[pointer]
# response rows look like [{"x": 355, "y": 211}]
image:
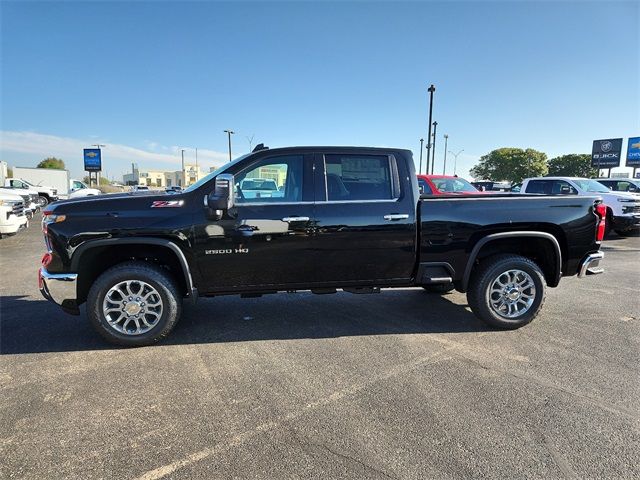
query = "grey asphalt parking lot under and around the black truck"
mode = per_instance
[{"x": 403, "y": 384}]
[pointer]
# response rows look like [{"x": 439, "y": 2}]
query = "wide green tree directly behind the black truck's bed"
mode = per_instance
[{"x": 510, "y": 164}]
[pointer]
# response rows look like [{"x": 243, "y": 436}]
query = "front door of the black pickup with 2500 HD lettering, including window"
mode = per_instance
[{"x": 264, "y": 241}]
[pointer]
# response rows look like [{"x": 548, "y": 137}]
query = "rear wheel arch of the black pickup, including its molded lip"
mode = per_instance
[{"x": 508, "y": 242}]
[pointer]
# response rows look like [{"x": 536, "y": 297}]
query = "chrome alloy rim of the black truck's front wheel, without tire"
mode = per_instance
[{"x": 132, "y": 307}]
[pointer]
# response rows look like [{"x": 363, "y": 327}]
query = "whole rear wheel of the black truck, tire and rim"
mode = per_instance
[{"x": 507, "y": 291}]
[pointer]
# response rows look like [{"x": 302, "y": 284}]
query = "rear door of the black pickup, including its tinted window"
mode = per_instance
[{"x": 365, "y": 221}]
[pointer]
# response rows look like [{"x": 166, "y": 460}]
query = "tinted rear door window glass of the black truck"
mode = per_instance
[{"x": 358, "y": 177}]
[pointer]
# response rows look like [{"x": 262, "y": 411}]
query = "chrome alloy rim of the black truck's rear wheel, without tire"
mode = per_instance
[{"x": 512, "y": 293}]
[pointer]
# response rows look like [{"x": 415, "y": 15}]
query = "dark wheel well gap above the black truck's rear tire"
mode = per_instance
[{"x": 540, "y": 250}]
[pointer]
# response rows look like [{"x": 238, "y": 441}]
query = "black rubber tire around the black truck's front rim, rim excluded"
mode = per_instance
[{"x": 153, "y": 275}]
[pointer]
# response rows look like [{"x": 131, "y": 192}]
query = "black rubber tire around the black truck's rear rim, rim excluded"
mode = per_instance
[{"x": 488, "y": 272}]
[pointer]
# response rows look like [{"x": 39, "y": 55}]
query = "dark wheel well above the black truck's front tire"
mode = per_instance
[{"x": 97, "y": 260}]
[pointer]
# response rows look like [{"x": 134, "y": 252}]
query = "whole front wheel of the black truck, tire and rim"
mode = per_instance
[{"x": 134, "y": 304}]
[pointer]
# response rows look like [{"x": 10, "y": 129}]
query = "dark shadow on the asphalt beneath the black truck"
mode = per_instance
[{"x": 37, "y": 326}]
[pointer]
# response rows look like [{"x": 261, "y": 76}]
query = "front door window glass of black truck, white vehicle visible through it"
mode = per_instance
[{"x": 272, "y": 180}]
